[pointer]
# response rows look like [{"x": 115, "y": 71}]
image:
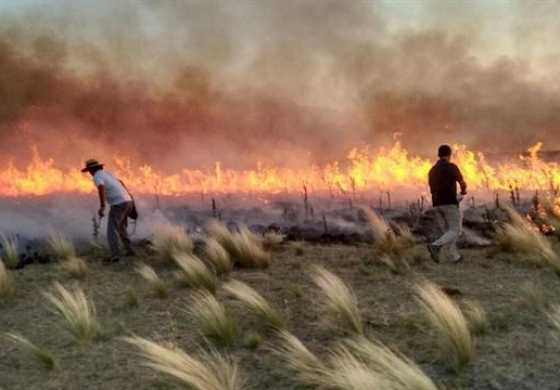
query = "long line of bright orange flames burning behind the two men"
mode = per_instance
[{"x": 364, "y": 170}]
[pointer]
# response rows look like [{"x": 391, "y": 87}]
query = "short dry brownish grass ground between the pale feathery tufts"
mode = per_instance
[{"x": 516, "y": 349}]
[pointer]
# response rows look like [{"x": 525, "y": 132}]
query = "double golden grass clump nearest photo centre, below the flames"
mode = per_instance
[{"x": 244, "y": 247}]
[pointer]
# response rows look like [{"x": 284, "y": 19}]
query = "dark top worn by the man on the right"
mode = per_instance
[{"x": 444, "y": 177}]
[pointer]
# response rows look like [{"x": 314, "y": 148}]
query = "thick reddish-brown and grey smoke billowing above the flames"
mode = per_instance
[{"x": 179, "y": 84}]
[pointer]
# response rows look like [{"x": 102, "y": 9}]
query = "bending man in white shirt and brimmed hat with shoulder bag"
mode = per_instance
[{"x": 112, "y": 191}]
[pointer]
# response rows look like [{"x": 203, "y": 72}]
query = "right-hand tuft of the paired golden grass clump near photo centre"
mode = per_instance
[{"x": 249, "y": 251}]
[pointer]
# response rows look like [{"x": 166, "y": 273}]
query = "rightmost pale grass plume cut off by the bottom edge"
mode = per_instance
[{"x": 394, "y": 369}]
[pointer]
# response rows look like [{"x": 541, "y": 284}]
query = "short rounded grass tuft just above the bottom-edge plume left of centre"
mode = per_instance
[{"x": 213, "y": 319}]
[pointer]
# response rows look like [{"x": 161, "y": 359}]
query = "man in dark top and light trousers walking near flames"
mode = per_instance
[{"x": 443, "y": 178}]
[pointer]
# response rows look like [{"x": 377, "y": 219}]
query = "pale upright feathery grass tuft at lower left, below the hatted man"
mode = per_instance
[{"x": 77, "y": 311}]
